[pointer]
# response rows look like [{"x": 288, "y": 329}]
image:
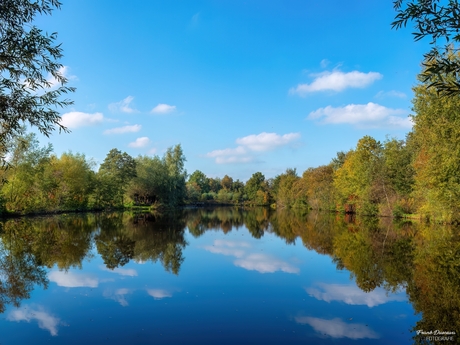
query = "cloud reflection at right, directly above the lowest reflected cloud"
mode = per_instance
[{"x": 352, "y": 295}]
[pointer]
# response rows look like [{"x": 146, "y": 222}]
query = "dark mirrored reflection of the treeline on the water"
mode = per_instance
[{"x": 422, "y": 259}]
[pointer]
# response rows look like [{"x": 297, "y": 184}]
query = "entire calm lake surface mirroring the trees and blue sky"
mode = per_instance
[{"x": 226, "y": 276}]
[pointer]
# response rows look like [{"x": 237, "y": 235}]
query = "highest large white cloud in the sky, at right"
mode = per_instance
[{"x": 336, "y": 81}]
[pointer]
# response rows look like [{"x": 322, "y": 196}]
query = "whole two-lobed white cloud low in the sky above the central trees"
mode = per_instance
[{"x": 252, "y": 143}]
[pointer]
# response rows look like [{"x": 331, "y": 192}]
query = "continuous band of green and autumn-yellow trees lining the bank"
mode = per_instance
[{"x": 416, "y": 177}]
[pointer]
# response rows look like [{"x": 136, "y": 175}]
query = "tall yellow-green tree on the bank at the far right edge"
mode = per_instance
[{"x": 436, "y": 136}]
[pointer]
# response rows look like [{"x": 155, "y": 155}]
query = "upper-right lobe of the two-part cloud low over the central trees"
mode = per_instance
[{"x": 266, "y": 141}]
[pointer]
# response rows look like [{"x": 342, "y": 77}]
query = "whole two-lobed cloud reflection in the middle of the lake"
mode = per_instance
[{"x": 261, "y": 263}]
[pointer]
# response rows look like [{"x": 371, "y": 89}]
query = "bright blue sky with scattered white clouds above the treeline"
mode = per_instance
[{"x": 243, "y": 86}]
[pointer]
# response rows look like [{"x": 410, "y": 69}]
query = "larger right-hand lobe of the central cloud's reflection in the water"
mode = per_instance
[{"x": 263, "y": 263}]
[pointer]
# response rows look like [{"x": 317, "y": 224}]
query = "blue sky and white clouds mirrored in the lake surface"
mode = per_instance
[{"x": 231, "y": 288}]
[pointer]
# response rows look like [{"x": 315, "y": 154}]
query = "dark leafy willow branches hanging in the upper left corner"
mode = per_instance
[{"x": 31, "y": 77}]
